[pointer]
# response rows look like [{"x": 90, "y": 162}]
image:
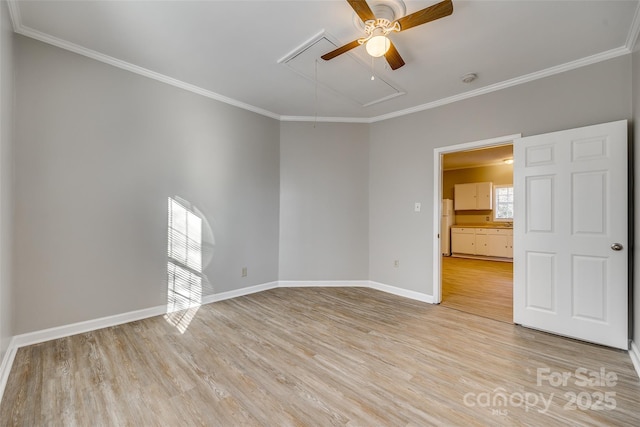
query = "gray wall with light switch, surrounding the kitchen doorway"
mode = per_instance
[{"x": 401, "y": 152}]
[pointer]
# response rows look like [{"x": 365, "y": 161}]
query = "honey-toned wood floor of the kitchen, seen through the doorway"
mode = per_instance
[{"x": 480, "y": 287}]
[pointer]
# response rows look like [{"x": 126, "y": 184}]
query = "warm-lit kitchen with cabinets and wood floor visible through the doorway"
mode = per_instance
[{"x": 477, "y": 232}]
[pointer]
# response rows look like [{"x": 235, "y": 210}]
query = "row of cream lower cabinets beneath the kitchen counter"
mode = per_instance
[{"x": 495, "y": 242}]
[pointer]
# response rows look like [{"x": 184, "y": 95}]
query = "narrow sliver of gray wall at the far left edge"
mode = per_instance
[{"x": 6, "y": 192}]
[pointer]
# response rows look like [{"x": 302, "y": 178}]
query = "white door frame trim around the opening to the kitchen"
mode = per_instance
[{"x": 437, "y": 197}]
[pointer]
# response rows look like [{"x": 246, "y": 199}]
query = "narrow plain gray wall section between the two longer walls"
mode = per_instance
[{"x": 324, "y": 203}]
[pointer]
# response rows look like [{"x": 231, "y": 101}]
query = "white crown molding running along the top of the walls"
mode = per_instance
[{"x": 627, "y": 48}]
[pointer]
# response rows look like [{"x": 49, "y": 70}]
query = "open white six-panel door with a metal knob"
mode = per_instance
[{"x": 571, "y": 233}]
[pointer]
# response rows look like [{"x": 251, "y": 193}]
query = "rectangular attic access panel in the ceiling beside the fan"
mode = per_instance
[{"x": 346, "y": 76}]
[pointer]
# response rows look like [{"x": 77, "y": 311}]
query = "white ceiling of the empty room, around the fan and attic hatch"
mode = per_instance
[{"x": 229, "y": 50}]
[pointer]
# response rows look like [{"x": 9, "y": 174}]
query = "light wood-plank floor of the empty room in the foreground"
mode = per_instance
[{"x": 317, "y": 357}]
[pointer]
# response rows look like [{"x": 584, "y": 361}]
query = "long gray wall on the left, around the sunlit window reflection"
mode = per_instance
[{"x": 98, "y": 152}]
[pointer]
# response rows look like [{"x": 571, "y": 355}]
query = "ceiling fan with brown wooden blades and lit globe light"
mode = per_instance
[{"x": 376, "y": 29}]
